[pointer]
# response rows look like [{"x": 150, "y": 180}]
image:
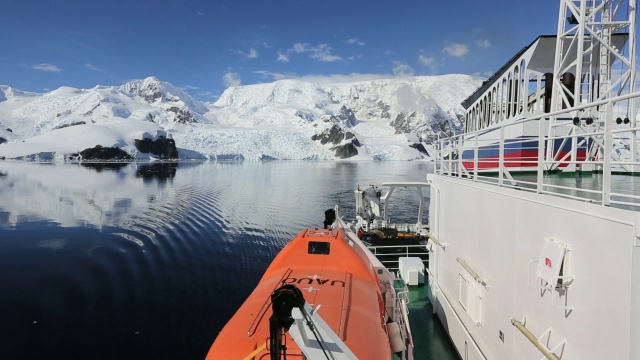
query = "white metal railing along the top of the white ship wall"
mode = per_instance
[{"x": 611, "y": 162}]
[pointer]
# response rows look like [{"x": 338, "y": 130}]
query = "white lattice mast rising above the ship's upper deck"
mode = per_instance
[{"x": 589, "y": 67}]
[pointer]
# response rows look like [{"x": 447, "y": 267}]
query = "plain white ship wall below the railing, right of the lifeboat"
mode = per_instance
[{"x": 498, "y": 231}]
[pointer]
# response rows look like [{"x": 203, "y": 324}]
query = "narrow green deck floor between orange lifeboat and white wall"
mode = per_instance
[{"x": 429, "y": 336}]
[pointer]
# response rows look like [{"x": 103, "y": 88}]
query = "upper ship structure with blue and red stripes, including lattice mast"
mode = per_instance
[{"x": 557, "y": 86}]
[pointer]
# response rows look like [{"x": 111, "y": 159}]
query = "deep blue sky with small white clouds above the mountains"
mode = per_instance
[{"x": 206, "y": 46}]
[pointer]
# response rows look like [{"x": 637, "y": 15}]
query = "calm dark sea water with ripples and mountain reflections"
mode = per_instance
[{"x": 150, "y": 261}]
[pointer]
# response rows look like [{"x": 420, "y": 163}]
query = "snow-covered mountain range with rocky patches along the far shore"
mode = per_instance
[{"x": 287, "y": 119}]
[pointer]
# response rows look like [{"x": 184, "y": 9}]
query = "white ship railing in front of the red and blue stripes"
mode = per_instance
[{"x": 506, "y": 172}]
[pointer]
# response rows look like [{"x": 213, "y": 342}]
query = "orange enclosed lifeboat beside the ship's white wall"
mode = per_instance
[{"x": 335, "y": 278}]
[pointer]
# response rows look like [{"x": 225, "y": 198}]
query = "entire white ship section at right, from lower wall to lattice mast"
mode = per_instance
[{"x": 545, "y": 264}]
